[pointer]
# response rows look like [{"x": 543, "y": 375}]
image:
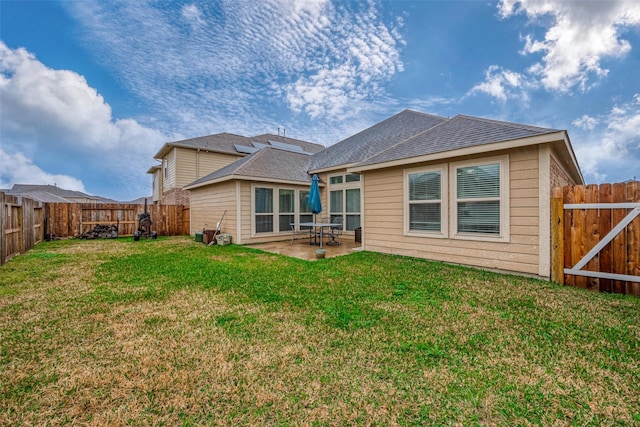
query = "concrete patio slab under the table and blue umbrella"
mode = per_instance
[{"x": 301, "y": 248}]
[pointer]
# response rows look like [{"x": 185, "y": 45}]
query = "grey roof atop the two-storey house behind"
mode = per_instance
[{"x": 227, "y": 143}]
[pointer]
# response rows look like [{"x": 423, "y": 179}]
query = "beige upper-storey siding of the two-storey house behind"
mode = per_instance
[{"x": 193, "y": 164}]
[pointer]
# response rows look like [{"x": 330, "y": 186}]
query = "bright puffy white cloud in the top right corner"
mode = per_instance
[{"x": 580, "y": 35}]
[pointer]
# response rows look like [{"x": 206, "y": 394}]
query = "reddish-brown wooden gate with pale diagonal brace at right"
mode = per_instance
[{"x": 595, "y": 237}]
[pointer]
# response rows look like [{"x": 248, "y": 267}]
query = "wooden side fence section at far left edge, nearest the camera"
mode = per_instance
[{"x": 21, "y": 228}]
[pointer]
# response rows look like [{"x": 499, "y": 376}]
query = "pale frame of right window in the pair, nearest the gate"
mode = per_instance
[{"x": 504, "y": 235}]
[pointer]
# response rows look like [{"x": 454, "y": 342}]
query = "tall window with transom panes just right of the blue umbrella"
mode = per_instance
[{"x": 344, "y": 199}]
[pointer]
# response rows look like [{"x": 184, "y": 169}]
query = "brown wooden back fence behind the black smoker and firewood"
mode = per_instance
[{"x": 74, "y": 219}]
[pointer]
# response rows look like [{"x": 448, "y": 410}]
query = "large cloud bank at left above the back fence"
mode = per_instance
[{"x": 55, "y": 126}]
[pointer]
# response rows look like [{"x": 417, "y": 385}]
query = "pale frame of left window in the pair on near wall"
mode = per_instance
[{"x": 444, "y": 202}]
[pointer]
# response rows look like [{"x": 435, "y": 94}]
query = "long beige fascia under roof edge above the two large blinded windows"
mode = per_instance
[{"x": 466, "y": 151}]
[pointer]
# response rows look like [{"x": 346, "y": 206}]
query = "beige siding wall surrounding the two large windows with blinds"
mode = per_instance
[{"x": 383, "y": 223}]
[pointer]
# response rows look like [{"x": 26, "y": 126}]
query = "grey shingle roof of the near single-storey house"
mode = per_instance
[{"x": 405, "y": 135}]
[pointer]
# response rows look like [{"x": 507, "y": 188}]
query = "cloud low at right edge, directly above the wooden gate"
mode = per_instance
[{"x": 615, "y": 147}]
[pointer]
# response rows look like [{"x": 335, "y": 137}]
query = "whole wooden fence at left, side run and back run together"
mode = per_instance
[{"x": 25, "y": 222}]
